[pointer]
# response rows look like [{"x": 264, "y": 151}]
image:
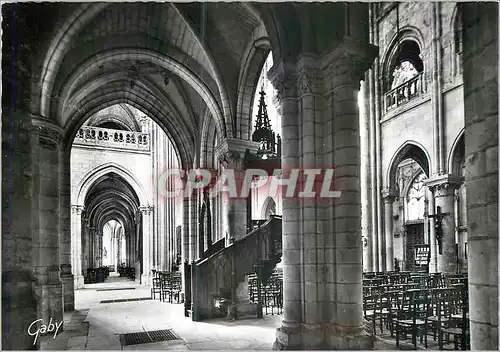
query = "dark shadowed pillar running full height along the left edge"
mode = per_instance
[{"x": 19, "y": 307}]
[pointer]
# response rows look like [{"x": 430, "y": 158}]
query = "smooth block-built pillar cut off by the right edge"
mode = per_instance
[{"x": 480, "y": 76}]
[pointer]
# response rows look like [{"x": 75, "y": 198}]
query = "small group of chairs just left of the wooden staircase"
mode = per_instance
[{"x": 167, "y": 285}]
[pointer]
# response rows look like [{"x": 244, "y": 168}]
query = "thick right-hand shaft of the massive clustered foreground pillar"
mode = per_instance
[{"x": 345, "y": 70}]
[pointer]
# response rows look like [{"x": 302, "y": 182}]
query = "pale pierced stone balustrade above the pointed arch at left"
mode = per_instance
[{"x": 105, "y": 137}]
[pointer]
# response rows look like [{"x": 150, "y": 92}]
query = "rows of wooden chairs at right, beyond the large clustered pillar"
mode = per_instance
[{"x": 418, "y": 305}]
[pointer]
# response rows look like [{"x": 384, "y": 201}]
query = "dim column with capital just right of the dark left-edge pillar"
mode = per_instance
[{"x": 48, "y": 286}]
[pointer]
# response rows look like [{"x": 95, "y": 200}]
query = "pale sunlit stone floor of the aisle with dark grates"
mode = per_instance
[{"x": 97, "y": 326}]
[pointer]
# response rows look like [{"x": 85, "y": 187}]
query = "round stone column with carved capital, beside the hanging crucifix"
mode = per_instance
[{"x": 443, "y": 188}]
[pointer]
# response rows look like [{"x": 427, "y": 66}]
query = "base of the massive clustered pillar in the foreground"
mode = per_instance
[{"x": 321, "y": 337}]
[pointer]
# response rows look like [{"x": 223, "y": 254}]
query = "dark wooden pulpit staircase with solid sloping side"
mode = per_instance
[{"x": 217, "y": 285}]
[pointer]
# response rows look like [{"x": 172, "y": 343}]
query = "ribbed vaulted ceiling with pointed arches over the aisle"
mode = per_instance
[{"x": 185, "y": 65}]
